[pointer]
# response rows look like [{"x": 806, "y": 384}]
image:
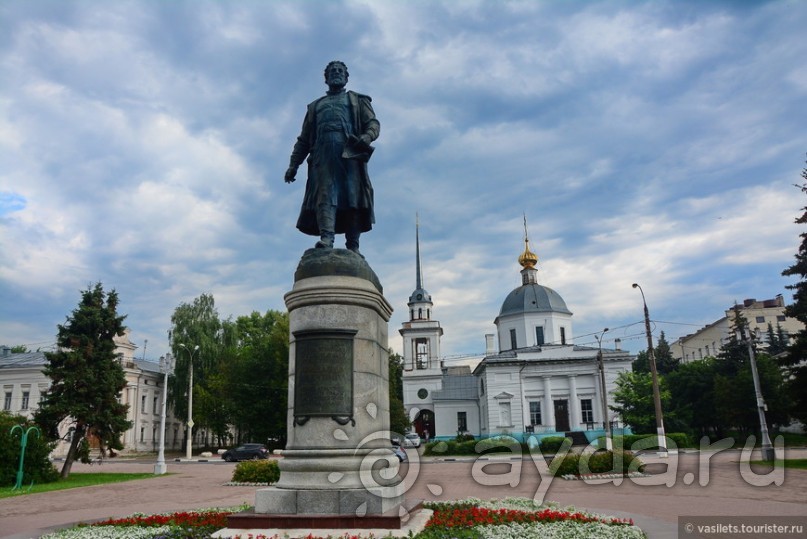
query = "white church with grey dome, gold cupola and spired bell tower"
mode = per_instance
[{"x": 538, "y": 382}]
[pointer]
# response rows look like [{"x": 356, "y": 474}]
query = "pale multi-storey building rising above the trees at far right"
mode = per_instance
[{"x": 707, "y": 341}]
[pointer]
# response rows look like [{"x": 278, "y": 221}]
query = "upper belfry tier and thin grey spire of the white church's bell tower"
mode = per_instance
[{"x": 421, "y": 334}]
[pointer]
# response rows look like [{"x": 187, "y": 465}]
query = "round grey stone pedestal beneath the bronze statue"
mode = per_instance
[{"x": 338, "y": 460}]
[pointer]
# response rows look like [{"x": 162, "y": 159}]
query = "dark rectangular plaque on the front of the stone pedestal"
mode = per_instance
[{"x": 323, "y": 375}]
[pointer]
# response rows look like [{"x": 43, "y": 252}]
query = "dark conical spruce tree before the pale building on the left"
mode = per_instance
[{"x": 87, "y": 377}]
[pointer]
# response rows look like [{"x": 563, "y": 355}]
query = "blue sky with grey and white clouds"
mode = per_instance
[{"x": 143, "y": 145}]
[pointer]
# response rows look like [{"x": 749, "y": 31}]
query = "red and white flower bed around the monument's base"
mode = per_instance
[{"x": 510, "y": 518}]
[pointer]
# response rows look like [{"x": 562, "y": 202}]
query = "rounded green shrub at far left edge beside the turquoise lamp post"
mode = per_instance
[{"x": 37, "y": 467}]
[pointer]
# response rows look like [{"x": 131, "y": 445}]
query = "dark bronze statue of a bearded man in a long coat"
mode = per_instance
[{"x": 336, "y": 135}]
